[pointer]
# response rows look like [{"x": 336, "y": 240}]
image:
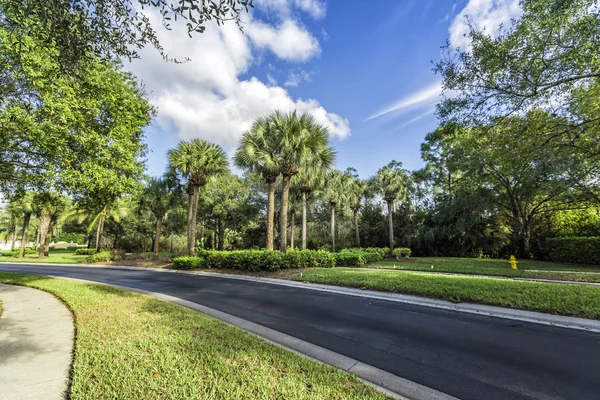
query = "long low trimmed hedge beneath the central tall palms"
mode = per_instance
[{"x": 256, "y": 260}]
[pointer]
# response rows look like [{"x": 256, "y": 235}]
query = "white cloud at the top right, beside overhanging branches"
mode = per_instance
[{"x": 483, "y": 14}]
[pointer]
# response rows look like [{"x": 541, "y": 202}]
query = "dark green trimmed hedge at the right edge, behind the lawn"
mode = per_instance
[{"x": 580, "y": 250}]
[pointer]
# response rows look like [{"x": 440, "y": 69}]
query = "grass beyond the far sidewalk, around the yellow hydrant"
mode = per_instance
[{"x": 479, "y": 266}]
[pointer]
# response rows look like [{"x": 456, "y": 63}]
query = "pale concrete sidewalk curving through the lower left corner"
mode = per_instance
[{"x": 36, "y": 342}]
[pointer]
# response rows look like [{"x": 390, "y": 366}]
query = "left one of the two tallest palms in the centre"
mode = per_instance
[{"x": 257, "y": 152}]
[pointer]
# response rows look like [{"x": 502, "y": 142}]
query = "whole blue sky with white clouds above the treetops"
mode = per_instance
[{"x": 364, "y": 69}]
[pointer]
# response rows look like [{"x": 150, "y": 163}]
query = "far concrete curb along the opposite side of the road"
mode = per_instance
[{"x": 490, "y": 311}]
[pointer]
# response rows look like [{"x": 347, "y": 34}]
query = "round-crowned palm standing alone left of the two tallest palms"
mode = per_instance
[{"x": 197, "y": 160}]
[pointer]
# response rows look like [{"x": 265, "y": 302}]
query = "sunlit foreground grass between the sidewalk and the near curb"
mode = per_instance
[{"x": 132, "y": 346}]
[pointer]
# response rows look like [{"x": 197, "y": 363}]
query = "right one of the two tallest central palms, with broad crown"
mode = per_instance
[{"x": 299, "y": 138}]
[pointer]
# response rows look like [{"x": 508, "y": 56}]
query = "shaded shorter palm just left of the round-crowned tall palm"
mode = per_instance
[{"x": 158, "y": 198}]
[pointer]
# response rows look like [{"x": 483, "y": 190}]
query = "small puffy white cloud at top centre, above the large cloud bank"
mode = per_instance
[{"x": 288, "y": 41}]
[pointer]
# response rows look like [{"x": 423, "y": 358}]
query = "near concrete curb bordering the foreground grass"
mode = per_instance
[{"x": 381, "y": 380}]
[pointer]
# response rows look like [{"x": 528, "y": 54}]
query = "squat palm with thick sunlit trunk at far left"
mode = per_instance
[{"x": 49, "y": 206}]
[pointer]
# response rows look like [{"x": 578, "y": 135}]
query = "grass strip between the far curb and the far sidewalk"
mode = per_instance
[{"x": 571, "y": 300}]
